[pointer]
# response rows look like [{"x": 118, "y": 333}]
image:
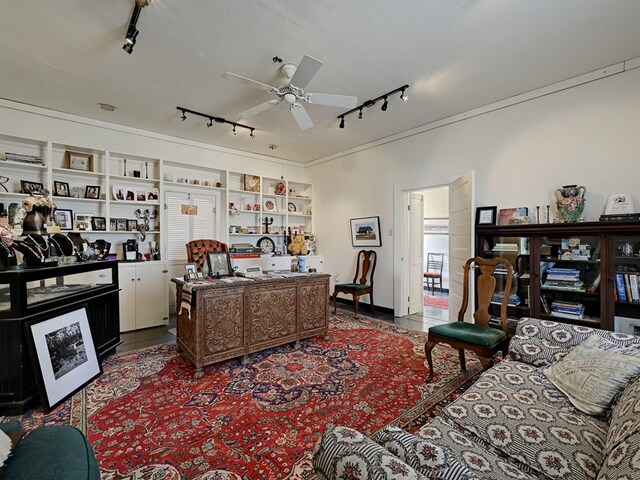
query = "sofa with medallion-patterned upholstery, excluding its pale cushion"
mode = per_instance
[{"x": 512, "y": 423}]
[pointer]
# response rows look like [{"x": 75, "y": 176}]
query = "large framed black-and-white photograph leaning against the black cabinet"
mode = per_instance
[{"x": 63, "y": 354}]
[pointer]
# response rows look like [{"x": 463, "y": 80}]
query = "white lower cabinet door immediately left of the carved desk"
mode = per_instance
[{"x": 151, "y": 288}]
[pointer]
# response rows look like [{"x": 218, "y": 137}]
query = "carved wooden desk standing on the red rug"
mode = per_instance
[{"x": 232, "y": 317}]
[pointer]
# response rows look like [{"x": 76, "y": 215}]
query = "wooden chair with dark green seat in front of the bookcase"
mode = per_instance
[{"x": 477, "y": 337}]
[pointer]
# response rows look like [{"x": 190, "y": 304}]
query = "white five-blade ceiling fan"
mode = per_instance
[{"x": 292, "y": 92}]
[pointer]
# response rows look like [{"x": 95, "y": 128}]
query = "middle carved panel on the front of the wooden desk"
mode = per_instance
[{"x": 271, "y": 313}]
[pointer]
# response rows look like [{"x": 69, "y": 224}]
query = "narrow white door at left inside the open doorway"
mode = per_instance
[{"x": 416, "y": 252}]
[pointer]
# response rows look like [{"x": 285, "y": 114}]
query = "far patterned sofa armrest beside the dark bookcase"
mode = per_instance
[{"x": 543, "y": 342}]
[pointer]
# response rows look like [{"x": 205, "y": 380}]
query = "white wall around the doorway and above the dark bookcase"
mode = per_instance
[{"x": 586, "y": 134}]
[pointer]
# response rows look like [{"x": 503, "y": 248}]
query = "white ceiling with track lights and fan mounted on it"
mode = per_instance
[{"x": 456, "y": 55}]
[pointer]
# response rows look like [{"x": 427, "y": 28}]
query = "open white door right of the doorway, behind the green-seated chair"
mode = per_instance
[{"x": 461, "y": 229}]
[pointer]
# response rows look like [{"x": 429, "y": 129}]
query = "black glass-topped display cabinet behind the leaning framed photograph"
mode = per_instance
[{"x": 42, "y": 293}]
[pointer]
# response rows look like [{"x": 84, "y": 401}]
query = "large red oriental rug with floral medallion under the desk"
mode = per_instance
[{"x": 148, "y": 418}]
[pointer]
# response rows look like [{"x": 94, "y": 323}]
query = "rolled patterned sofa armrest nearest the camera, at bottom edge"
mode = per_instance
[{"x": 342, "y": 452}]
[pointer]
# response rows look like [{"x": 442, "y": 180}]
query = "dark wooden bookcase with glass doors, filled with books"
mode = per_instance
[{"x": 567, "y": 271}]
